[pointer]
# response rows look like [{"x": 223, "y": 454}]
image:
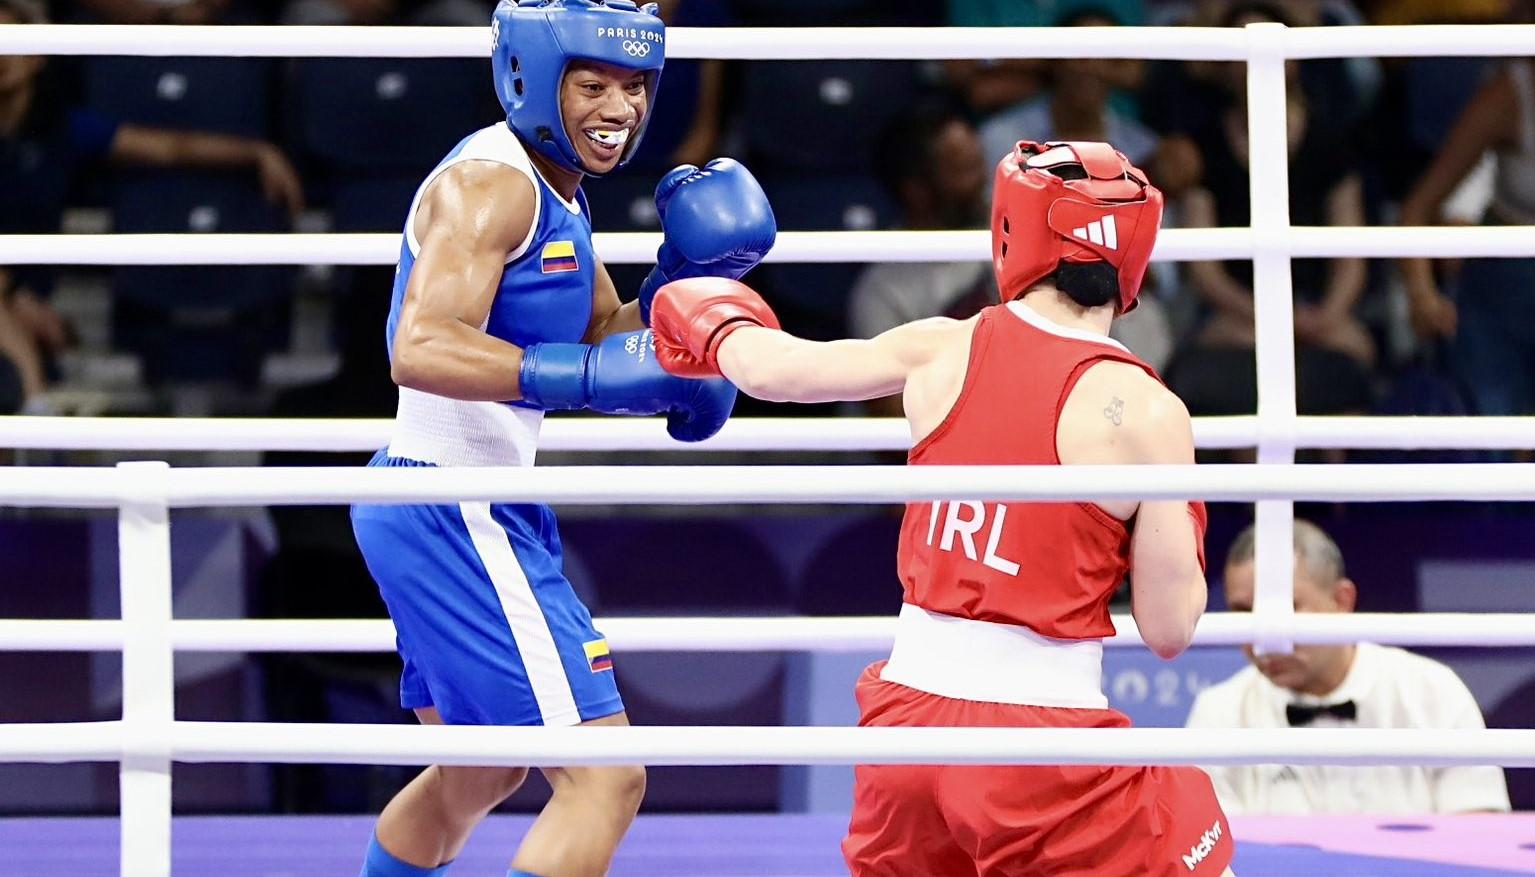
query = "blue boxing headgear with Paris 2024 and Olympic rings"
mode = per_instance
[{"x": 533, "y": 42}]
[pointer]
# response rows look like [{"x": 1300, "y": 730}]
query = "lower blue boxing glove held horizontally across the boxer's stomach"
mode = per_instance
[{"x": 622, "y": 377}]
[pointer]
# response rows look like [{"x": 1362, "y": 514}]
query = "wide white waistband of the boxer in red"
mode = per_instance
[{"x": 994, "y": 663}]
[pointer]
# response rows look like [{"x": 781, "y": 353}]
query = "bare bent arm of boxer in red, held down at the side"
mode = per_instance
[{"x": 1167, "y": 587}]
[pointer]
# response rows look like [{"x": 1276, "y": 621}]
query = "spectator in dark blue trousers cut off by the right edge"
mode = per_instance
[{"x": 1493, "y": 320}]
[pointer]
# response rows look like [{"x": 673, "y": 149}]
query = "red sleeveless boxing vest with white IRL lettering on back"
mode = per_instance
[{"x": 1048, "y": 566}]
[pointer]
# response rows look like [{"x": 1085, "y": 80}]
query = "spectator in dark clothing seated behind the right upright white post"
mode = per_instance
[{"x": 1335, "y": 351}]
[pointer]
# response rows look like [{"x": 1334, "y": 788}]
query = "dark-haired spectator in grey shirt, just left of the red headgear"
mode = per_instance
[{"x": 933, "y": 164}]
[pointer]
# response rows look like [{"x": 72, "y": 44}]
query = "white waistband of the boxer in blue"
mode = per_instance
[{"x": 452, "y": 432}]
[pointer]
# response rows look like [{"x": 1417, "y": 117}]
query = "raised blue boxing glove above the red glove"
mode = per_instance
[{"x": 718, "y": 223}]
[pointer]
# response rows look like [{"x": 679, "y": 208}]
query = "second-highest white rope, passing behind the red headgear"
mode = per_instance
[{"x": 639, "y": 248}]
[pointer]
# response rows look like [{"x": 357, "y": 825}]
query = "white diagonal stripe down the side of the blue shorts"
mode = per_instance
[{"x": 541, "y": 658}]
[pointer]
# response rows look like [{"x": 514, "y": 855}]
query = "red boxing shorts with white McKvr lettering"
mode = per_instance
[{"x": 979, "y": 821}]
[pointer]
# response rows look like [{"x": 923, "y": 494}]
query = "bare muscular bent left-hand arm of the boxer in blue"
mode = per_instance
[{"x": 470, "y": 217}]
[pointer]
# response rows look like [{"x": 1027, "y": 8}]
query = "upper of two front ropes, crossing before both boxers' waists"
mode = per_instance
[{"x": 74, "y": 488}]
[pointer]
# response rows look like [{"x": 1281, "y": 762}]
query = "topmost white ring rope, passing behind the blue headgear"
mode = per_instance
[{"x": 785, "y": 44}]
